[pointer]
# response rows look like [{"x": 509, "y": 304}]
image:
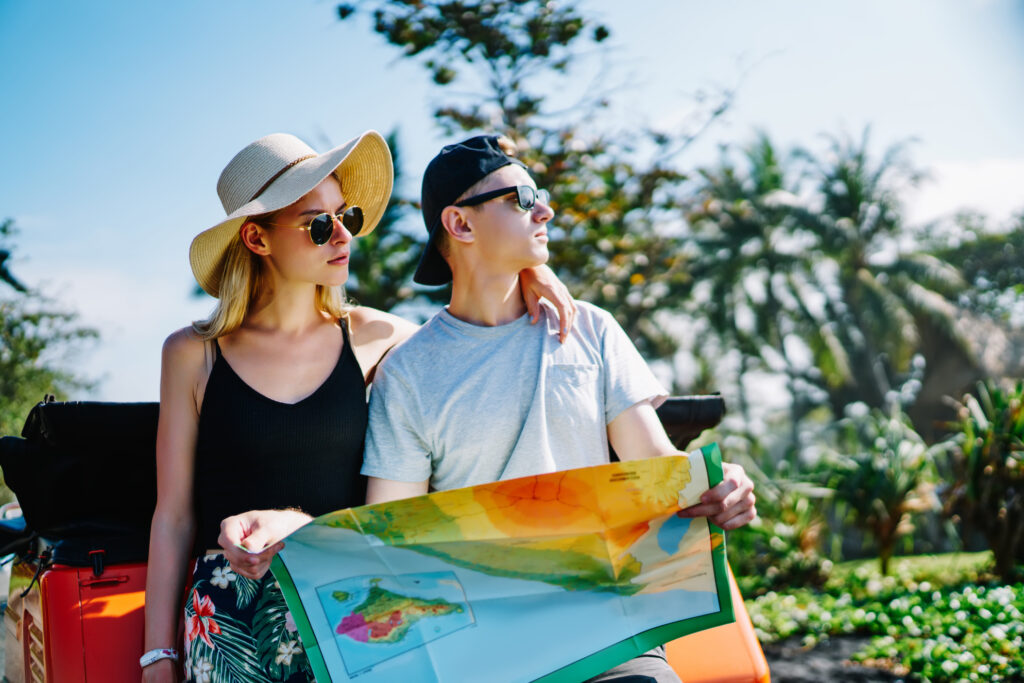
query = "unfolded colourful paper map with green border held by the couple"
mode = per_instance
[{"x": 554, "y": 578}]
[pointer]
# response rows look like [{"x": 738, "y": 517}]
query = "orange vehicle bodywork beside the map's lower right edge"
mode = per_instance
[{"x": 728, "y": 654}]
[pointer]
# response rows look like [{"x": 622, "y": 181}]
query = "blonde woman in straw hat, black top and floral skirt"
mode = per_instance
[{"x": 264, "y": 405}]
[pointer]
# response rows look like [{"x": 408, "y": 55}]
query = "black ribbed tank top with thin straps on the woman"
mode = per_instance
[{"x": 253, "y": 453}]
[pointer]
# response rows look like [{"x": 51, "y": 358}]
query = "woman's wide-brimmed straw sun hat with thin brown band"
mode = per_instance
[{"x": 276, "y": 172}]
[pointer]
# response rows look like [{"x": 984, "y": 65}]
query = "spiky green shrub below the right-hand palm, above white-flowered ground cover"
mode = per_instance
[{"x": 883, "y": 476}]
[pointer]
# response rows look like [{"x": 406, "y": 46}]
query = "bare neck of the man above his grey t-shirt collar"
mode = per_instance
[{"x": 487, "y": 300}]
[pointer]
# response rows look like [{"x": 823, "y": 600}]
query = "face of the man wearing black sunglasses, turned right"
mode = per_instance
[{"x": 508, "y": 238}]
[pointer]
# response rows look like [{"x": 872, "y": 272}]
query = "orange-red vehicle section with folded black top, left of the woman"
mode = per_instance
[{"x": 86, "y": 479}]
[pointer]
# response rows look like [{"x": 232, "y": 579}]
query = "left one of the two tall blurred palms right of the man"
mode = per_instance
[{"x": 749, "y": 267}]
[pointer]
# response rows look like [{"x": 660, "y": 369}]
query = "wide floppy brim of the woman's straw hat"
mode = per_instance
[{"x": 364, "y": 168}]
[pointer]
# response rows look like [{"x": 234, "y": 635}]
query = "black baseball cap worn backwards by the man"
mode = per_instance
[{"x": 456, "y": 168}]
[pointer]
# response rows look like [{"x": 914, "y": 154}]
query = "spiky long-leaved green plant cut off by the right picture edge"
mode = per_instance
[{"x": 989, "y": 472}]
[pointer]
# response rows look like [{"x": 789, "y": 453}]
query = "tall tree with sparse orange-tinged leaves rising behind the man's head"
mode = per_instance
[{"x": 618, "y": 228}]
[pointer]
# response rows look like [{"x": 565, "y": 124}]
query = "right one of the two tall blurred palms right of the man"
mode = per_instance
[{"x": 881, "y": 297}]
